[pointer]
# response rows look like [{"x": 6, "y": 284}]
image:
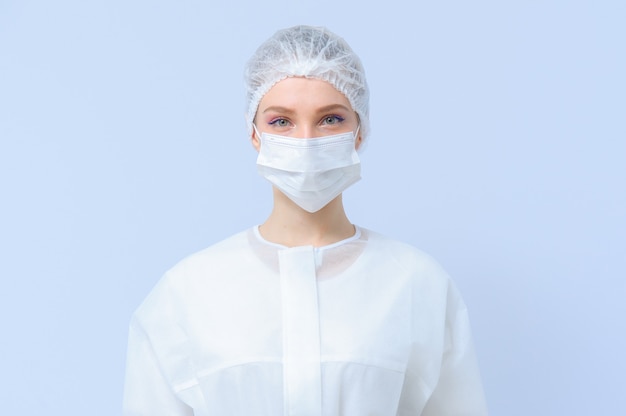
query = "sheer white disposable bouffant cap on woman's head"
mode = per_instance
[{"x": 312, "y": 52}]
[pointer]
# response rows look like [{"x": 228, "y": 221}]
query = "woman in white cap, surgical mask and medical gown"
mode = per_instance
[{"x": 306, "y": 314}]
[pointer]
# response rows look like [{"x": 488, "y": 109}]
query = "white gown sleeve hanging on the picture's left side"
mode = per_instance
[{"x": 146, "y": 391}]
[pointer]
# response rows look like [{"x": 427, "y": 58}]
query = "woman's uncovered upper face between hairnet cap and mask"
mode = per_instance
[{"x": 304, "y": 108}]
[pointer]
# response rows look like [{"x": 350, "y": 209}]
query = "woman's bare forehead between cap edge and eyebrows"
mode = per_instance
[{"x": 301, "y": 93}]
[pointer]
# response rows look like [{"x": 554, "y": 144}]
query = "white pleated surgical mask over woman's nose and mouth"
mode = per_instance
[{"x": 310, "y": 172}]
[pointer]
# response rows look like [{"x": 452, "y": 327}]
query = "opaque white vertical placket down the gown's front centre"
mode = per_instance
[{"x": 302, "y": 381}]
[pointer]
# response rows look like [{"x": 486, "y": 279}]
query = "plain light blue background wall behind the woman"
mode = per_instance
[{"x": 498, "y": 146}]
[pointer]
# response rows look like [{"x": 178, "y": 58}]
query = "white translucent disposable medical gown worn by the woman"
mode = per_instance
[{"x": 364, "y": 327}]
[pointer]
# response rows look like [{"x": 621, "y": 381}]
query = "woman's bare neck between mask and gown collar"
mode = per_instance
[{"x": 291, "y": 226}]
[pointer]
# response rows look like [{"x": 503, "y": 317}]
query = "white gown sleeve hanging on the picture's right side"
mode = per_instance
[{"x": 459, "y": 390}]
